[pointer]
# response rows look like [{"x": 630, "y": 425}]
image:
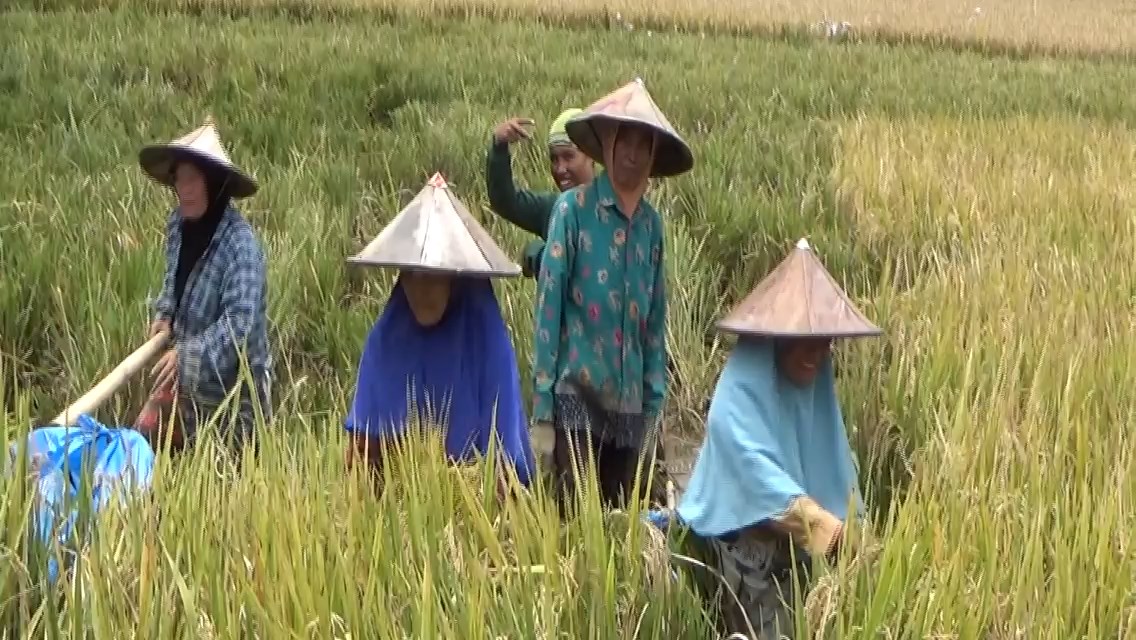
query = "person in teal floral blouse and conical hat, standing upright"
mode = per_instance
[{"x": 603, "y": 300}]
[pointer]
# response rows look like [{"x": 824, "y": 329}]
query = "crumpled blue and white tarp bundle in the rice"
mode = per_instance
[{"x": 120, "y": 461}]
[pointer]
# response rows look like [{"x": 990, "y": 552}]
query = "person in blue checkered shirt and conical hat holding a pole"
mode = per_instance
[{"x": 214, "y": 296}]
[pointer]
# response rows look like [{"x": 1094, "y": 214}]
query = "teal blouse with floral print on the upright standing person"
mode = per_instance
[{"x": 603, "y": 305}]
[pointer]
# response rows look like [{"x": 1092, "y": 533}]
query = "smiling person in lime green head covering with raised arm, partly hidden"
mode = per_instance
[{"x": 528, "y": 210}]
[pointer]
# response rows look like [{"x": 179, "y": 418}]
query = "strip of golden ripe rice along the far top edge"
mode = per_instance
[{"x": 1093, "y": 28}]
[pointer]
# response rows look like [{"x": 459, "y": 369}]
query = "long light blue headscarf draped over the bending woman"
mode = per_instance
[{"x": 769, "y": 443}]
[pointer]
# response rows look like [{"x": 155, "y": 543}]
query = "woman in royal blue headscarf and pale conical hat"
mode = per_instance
[{"x": 440, "y": 352}]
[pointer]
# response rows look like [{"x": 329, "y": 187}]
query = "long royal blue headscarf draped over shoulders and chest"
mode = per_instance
[{"x": 463, "y": 370}]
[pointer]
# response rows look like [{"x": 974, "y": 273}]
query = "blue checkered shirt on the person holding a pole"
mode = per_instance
[{"x": 223, "y": 315}]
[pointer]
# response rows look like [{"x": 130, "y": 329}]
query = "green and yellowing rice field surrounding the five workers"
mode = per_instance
[{"x": 976, "y": 205}]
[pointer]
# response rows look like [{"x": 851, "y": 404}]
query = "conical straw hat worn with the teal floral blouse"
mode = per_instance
[{"x": 631, "y": 104}]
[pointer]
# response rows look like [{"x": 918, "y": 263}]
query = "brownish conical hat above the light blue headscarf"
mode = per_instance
[{"x": 799, "y": 300}]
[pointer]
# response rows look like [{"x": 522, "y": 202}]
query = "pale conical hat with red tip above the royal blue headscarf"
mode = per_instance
[{"x": 436, "y": 232}]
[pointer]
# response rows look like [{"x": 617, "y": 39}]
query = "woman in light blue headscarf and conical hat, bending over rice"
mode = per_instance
[{"x": 775, "y": 479}]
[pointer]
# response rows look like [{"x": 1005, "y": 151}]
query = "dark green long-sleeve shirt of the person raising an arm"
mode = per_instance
[{"x": 528, "y": 210}]
